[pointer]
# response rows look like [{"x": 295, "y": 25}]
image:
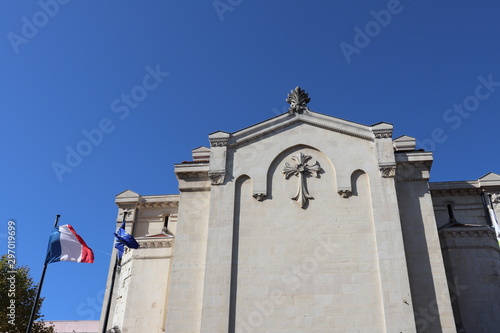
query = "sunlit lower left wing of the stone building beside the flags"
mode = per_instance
[{"x": 140, "y": 292}]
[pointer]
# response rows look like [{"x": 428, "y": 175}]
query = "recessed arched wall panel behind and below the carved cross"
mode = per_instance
[{"x": 311, "y": 269}]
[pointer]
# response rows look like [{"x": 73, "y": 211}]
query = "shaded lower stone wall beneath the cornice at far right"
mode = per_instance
[{"x": 472, "y": 258}]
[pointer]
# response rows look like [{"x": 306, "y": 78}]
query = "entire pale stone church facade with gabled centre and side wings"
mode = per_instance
[{"x": 309, "y": 223}]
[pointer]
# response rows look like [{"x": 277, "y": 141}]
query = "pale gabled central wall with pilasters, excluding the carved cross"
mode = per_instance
[{"x": 256, "y": 249}]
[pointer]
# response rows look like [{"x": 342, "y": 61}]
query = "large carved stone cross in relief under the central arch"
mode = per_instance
[{"x": 301, "y": 170}]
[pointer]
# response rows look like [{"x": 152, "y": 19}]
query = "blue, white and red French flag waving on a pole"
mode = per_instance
[{"x": 66, "y": 245}]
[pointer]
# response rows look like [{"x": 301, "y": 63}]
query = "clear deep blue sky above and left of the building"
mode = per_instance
[{"x": 69, "y": 72}]
